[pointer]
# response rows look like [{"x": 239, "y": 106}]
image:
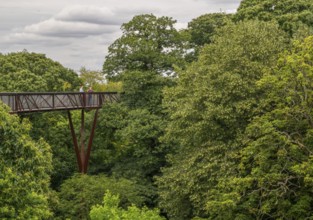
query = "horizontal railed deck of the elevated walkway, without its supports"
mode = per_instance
[{"x": 52, "y": 101}]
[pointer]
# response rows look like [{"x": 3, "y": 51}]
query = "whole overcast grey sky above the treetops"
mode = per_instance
[{"x": 77, "y": 33}]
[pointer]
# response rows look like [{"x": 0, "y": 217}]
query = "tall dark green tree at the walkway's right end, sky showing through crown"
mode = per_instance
[{"x": 147, "y": 51}]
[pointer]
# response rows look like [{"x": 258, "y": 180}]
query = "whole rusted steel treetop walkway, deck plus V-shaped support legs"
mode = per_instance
[{"x": 55, "y": 101}]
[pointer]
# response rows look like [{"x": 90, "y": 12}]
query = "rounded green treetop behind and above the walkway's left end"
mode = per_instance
[{"x": 33, "y": 72}]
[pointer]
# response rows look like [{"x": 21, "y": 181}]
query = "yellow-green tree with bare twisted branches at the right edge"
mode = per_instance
[{"x": 275, "y": 167}]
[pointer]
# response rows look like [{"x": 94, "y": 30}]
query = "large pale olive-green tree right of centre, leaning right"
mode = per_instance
[{"x": 214, "y": 101}]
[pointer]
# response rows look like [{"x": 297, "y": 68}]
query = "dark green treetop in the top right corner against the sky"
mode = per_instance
[{"x": 290, "y": 15}]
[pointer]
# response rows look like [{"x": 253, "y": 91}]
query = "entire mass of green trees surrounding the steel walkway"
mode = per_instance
[{"x": 215, "y": 121}]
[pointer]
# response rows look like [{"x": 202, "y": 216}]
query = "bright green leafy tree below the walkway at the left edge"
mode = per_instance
[{"x": 24, "y": 167}]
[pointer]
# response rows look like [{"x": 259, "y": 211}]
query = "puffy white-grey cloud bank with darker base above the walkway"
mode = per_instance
[{"x": 76, "y": 22}]
